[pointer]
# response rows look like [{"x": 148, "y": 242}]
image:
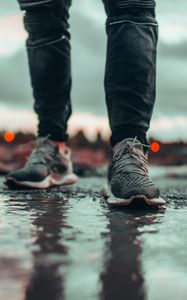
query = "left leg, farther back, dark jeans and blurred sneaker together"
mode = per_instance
[{"x": 48, "y": 47}]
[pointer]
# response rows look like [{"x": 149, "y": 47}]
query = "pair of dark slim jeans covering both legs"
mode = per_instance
[{"x": 130, "y": 65}]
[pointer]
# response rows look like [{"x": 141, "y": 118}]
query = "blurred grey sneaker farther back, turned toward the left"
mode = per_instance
[{"x": 45, "y": 167}]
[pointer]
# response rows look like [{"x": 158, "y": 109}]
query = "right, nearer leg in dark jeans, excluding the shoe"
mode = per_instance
[{"x": 131, "y": 67}]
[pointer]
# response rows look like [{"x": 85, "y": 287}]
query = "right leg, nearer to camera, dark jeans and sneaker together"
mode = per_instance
[{"x": 130, "y": 95}]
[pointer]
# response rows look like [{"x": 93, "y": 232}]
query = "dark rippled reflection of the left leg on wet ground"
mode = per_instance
[{"x": 46, "y": 280}]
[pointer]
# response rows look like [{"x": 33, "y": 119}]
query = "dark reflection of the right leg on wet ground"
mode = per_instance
[{"x": 123, "y": 277}]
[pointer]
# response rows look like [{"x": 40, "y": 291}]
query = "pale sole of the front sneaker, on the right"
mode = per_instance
[{"x": 135, "y": 200}]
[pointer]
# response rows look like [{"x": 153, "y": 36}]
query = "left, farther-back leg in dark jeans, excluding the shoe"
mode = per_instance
[{"x": 48, "y": 47}]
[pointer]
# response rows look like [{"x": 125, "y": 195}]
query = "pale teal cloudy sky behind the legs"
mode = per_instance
[{"x": 88, "y": 59}]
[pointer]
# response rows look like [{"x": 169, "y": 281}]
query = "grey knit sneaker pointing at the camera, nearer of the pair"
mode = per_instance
[{"x": 128, "y": 179}]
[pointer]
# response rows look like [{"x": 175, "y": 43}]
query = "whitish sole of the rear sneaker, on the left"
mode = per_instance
[{"x": 48, "y": 182}]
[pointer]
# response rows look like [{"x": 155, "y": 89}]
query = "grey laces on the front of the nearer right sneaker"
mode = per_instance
[{"x": 128, "y": 160}]
